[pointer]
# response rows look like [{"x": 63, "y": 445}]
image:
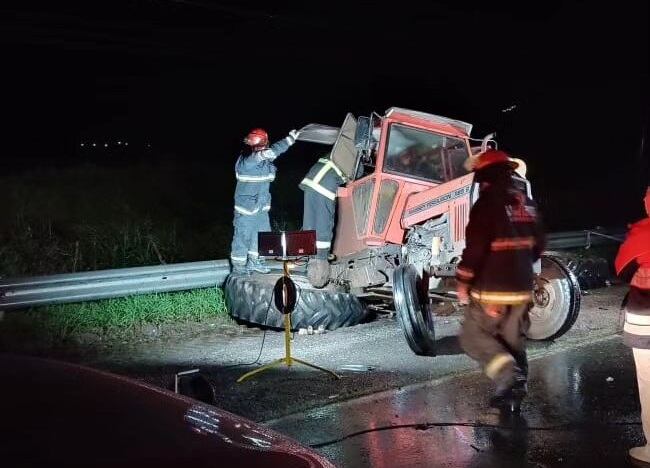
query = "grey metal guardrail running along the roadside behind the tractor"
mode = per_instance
[{"x": 18, "y": 293}]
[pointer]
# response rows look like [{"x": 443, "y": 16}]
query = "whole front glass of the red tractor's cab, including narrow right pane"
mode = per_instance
[{"x": 424, "y": 155}]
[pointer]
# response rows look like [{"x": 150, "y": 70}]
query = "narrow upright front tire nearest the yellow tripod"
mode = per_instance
[{"x": 410, "y": 293}]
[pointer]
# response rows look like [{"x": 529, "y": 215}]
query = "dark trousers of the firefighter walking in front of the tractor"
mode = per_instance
[{"x": 495, "y": 336}]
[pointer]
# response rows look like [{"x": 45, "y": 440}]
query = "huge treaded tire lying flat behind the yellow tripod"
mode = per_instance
[{"x": 249, "y": 298}]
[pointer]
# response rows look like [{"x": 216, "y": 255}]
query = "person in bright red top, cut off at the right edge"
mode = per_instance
[{"x": 633, "y": 261}]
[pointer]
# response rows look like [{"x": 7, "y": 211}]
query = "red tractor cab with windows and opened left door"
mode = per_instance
[{"x": 386, "y": 160}]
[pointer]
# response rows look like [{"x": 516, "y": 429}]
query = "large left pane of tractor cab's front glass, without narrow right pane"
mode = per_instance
[{"x": 415, "y": 153}]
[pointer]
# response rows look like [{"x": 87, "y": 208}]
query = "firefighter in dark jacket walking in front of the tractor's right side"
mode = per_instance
[{"x": 504, "y": 238}]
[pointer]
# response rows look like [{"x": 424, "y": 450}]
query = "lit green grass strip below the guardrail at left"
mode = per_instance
[{"x": 114, "y": 318}]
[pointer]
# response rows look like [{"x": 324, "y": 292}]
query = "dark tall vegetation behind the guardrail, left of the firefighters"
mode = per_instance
[{"x": 91, "y": 217}]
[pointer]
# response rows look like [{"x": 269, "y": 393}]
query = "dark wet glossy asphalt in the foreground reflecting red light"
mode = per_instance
[{"x": 582, "y": 410}]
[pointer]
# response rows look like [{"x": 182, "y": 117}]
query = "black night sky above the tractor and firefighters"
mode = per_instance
[{"x": 191, "y": 77}]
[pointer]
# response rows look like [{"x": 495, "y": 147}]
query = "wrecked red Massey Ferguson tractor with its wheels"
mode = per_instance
[{"x": 400, "y": 233}]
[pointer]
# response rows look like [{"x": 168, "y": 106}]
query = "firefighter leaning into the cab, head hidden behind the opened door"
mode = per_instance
[{"x": 320, "y": 185}]
